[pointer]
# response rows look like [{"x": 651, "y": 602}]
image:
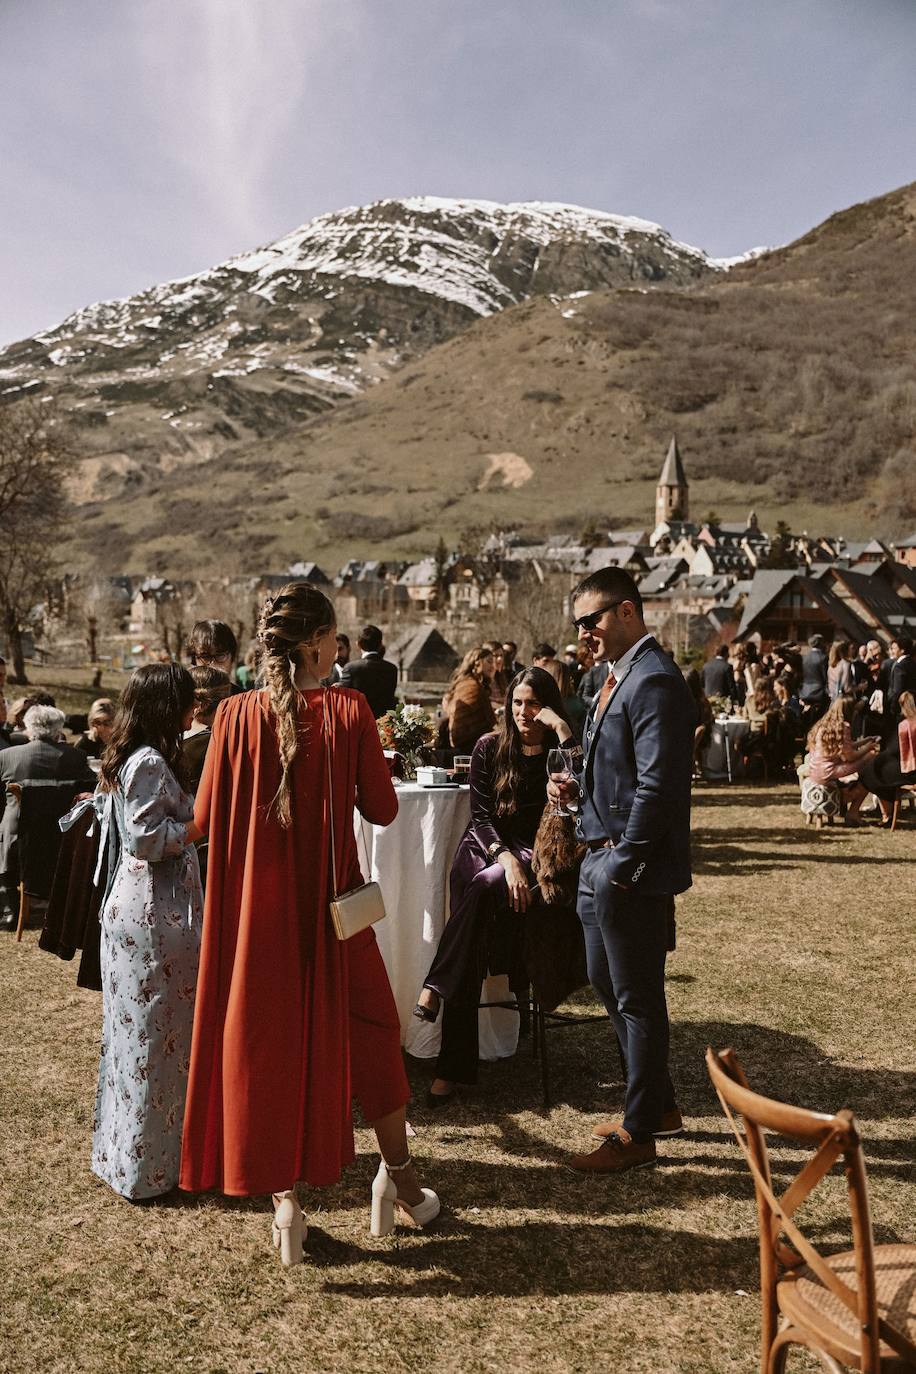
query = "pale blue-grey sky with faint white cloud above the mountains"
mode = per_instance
[{"x": 148, "y": 139}]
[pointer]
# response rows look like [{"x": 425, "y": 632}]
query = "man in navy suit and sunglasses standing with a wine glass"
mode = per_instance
[{"x": 635, "y": 815}]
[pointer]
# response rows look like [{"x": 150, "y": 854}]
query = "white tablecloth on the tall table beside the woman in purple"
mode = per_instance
[{"x": 411, "y": 859}]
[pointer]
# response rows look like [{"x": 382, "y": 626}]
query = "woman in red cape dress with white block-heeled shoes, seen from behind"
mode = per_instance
[{"x": 290, "y": 1023}]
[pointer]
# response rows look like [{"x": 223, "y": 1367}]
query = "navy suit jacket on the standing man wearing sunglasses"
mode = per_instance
[{"x": 637, "y": 782}]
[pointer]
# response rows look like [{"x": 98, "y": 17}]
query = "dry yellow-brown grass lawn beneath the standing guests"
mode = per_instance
[{"x": 794, "y": 946}]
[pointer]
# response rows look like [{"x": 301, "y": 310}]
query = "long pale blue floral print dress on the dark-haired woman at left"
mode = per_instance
[{"x": 150, "y": 950}]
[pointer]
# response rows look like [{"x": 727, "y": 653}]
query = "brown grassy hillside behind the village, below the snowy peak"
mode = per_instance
[{"x": 789, "y": 384}]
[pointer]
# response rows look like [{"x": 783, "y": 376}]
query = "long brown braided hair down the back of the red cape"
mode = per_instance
[{"x": 295, "y": 616}]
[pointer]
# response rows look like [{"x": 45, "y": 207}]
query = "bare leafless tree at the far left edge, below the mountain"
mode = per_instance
[{"x": 36, "y": 455}]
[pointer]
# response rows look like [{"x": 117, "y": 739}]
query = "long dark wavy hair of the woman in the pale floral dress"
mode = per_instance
[{"x": 153, "y": 707}]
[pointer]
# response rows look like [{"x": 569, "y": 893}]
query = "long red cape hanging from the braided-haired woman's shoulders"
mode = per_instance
[{"x": 270, "y": 1085}]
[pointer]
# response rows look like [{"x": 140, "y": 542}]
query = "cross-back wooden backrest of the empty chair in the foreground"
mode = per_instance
[{"x": 833, "y": 1138}]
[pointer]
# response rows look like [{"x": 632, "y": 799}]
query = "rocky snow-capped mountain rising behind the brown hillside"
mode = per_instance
[{"x": 282, "y": 333}]
